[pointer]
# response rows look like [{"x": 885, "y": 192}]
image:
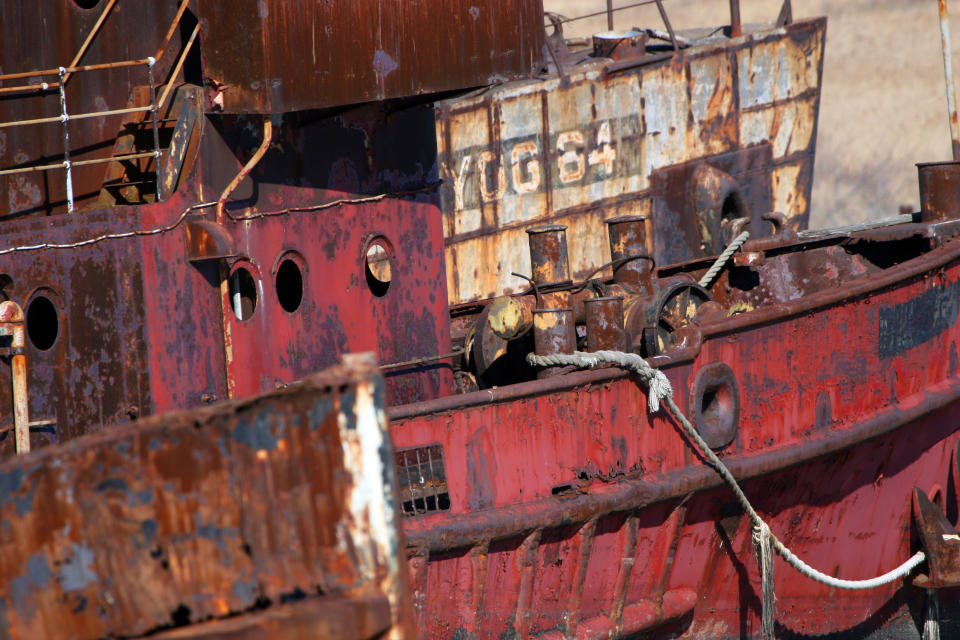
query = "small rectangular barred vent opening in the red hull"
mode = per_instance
[{"x": 423, "y": 481}]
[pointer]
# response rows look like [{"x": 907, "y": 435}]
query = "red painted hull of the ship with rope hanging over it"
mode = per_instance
[{"x": 573, "y": 513}]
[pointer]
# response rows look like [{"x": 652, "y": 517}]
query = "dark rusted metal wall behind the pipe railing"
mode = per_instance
[{"x": 45, "y": 35}]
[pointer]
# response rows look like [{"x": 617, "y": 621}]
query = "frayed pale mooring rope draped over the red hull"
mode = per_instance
[{"x": 660, "y": 391}]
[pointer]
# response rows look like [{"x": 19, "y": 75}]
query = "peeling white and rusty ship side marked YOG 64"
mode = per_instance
[{"x": 582, "y": 149}]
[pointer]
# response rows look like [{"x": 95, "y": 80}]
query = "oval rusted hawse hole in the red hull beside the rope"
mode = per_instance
[{"x": 716, "y": 404}]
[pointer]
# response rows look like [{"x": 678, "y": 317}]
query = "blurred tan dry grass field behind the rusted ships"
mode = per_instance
[{"x": 883, "y": 105}]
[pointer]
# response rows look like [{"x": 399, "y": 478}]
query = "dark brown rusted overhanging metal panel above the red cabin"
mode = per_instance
[{"x": 284, "y": 55}]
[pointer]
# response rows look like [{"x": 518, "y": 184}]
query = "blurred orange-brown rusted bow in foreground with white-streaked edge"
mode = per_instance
[{"x": 206, "y": 514}]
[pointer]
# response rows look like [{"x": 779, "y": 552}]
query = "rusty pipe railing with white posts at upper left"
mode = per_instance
[{"x": 64, "y": 73}]
